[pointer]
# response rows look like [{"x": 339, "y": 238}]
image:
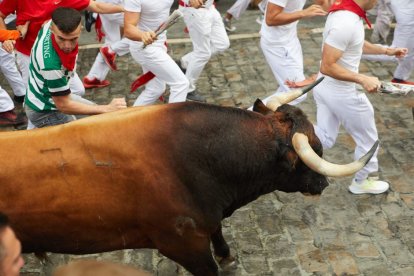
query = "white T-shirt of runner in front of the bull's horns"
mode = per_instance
[{"x": 344, "y": 30}]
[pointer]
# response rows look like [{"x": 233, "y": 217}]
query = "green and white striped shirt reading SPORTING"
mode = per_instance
[{"x": 47, "y": 76}]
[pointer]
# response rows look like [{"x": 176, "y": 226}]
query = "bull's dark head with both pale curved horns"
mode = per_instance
[{"x": 305, "y": 143}]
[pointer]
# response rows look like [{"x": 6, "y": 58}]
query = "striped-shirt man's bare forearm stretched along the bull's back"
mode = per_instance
[{"x": 68, "y": 106}]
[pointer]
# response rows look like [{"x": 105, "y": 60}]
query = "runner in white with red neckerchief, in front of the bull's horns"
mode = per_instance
[{"x": 338, "y": 101}]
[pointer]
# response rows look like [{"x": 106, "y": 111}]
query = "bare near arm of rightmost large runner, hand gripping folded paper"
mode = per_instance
[{"x": 330, "y": 67}]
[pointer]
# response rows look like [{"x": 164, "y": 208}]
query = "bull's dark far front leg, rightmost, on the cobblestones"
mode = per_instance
[{"x": 222, "y": 250}]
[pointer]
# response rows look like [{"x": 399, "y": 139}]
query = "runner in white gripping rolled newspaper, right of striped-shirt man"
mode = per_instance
[{"x": 142, "y": 18}]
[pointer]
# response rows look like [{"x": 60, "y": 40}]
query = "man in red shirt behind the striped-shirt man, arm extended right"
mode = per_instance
[{"x": 37, "y": 12}]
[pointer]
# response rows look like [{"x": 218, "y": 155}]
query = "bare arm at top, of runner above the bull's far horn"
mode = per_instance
[{"x": 275, "y": 15}]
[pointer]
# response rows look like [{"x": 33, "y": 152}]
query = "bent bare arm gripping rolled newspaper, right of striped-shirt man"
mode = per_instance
[{"x": 131, "y": 30}]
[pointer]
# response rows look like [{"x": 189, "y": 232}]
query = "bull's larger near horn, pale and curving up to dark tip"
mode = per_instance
[{"x": 319, "y": 165}]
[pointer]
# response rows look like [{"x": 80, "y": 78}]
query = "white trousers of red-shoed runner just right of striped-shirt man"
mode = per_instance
[{"x": 111, "y": 24}]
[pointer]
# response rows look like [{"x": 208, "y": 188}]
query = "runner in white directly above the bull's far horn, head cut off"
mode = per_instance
[{"x": 280, "y": 43}]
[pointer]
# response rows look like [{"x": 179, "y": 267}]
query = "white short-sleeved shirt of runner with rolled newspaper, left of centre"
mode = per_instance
[{"x": 152, "y": 13}]
